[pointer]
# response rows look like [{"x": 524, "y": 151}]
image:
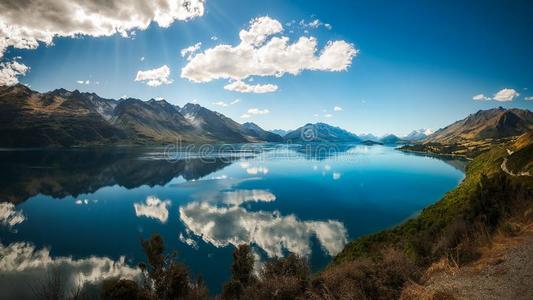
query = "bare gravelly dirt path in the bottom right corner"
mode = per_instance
[{"x": 504, "y": 272}]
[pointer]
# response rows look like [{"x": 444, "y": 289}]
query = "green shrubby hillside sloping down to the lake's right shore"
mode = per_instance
[{"x": 485, "y": 198}]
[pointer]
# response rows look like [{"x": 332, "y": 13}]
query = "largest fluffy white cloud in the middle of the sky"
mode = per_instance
[{"x": 262, "y": 54}]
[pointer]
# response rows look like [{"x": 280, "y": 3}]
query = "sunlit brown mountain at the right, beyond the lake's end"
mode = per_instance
[{"x": 494, "y": 123}]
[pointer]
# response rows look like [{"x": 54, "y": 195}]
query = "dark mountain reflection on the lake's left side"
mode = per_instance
[{"x": 65, "y": 173}]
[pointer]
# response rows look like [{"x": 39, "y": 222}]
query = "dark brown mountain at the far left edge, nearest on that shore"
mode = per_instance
[{"x": 32, "y": 119}]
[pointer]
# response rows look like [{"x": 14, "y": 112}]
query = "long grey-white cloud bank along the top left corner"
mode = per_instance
[{"x": 25, "y": 24}]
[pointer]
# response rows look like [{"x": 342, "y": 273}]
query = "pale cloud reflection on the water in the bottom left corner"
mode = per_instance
[{"x": 22, "y": 264}]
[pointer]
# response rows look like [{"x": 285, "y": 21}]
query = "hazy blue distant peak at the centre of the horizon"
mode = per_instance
[{"x": 320, "y": 132}]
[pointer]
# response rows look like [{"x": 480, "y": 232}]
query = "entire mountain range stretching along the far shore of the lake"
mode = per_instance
[{"x": 72, "y": 118}]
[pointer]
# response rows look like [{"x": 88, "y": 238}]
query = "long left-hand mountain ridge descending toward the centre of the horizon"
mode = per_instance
[{"x": 64, "y": 118}]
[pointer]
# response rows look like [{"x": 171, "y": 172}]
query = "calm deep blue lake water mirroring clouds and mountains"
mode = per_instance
[{"x": 85, "y": 211}]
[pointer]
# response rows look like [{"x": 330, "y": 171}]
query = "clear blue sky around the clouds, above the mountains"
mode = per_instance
[{"x": 419, "y": 63}]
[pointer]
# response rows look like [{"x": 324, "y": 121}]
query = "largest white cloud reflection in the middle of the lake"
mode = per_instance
[{"x": 232, "y": 224}]
